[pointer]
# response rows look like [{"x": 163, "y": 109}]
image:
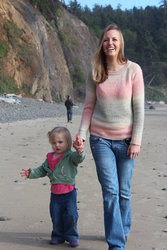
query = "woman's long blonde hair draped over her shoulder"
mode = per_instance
[{"x": 99, "y": 66}]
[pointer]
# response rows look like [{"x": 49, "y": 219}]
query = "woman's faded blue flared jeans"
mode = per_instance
[{"x": 114, "y": 170}]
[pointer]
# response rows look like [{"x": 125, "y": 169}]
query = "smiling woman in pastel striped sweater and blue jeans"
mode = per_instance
[{"x": 114, "y": 115}]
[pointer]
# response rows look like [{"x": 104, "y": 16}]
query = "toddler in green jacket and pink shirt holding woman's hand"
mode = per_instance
[{"x": 61, "y": 168}]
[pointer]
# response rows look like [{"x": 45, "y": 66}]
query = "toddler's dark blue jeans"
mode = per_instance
[{"x": 64, "y": 215}]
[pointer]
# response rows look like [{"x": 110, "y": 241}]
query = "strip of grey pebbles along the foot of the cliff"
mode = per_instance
[{"x": 29, "y": 109}]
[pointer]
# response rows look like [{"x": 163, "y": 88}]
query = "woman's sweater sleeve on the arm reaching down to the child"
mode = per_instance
[{"x": 90, "y": 101}]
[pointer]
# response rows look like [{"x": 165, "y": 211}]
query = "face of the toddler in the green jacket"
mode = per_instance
[{"x": 59, "y": 144}]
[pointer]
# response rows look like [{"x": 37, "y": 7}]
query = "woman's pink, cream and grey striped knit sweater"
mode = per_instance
[{"x": 114, "y": 109}]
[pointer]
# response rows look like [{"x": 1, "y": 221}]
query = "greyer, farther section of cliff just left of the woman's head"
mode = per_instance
[{"x": 78, "y": 46}]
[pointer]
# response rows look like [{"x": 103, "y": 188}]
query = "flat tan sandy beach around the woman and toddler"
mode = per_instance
[{"x": 24, "y": 204}]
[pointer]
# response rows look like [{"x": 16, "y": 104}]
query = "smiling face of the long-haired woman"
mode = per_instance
[{"x": 112, "y": 43}]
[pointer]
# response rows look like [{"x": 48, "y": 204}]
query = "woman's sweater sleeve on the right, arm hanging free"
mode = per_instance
[{"x": 137, "y": 105}]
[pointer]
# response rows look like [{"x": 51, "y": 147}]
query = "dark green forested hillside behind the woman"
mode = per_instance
[{"x": 145, "y": 33}]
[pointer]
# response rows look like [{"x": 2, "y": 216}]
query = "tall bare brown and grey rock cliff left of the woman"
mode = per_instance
[{"x": 47, "y": 59}]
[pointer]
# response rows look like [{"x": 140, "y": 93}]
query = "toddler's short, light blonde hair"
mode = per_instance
[{"x": 62, "y": 130}]
